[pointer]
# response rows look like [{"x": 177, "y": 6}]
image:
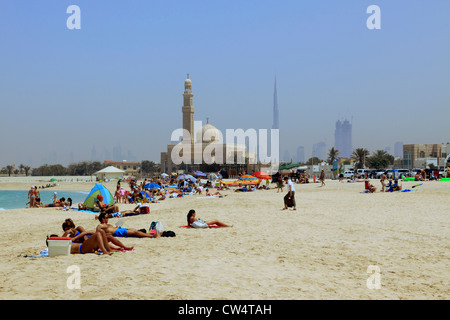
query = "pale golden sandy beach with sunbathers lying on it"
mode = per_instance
[{"x": 321, "y": 251}]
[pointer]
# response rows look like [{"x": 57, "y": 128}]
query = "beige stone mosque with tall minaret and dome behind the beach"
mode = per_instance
[{"x": 203, "y": 148}]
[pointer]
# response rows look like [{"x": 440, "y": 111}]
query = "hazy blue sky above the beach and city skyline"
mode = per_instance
[{"x": 118, "y": 81}]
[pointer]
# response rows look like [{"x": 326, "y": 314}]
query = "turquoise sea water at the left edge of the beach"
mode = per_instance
[{"x": 17, "y": 199}]
